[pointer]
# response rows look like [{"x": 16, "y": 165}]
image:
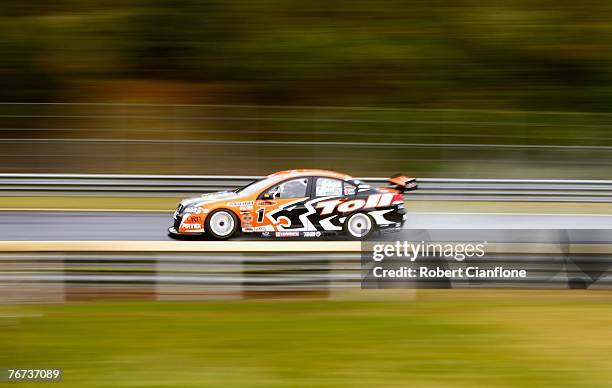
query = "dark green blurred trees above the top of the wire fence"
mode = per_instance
[{"x": 539, "y": 55}]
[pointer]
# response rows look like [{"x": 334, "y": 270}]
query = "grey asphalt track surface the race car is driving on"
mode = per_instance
[{"x": 102, "y": 225}]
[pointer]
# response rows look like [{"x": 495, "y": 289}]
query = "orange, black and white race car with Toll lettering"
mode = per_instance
[{"x": 297, "y": 203}]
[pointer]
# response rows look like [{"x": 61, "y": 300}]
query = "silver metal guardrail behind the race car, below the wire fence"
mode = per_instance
[{"x": 183, "y": 185}]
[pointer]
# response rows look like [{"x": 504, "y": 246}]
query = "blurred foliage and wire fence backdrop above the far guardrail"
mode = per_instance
[{"x": 542, "y": 58}]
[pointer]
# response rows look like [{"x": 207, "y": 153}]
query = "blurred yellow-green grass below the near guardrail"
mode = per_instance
[{"x": 443, "y": 339}]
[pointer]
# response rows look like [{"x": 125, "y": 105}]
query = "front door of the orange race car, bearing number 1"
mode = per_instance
[{"x": 282, "y": 208}]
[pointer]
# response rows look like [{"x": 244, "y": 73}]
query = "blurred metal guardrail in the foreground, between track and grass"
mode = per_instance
[{"x": 55, "y": 274}]
